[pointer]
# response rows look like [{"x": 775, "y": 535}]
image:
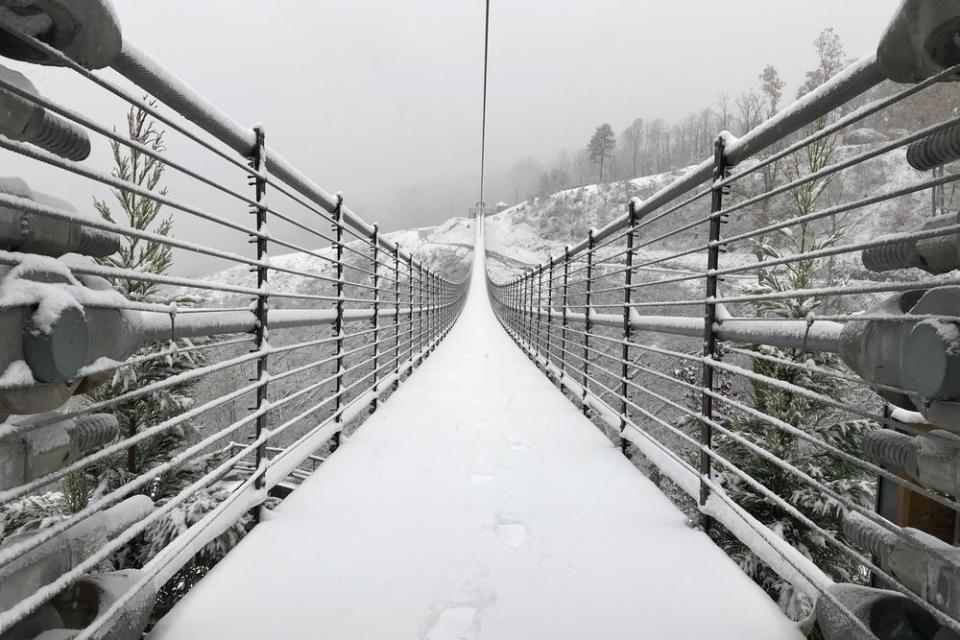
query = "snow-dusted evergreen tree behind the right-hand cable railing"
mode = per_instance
[{"x": 806, "y": 369}]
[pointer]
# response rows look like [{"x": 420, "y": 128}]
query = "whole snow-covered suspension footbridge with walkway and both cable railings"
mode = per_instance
[{"x": 653, "y": 432}]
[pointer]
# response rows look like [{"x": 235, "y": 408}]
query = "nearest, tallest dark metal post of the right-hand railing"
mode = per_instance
[{"x": 709, "y": 320}]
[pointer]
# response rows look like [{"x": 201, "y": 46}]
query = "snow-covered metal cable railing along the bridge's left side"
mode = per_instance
[{"x": 147, "y": 417}]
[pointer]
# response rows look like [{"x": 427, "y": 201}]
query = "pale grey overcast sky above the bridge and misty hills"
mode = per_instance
[{"x": 381, "y": 99}]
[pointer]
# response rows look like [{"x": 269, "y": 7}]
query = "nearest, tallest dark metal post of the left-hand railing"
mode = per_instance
[{"x": 262, "y": 332}]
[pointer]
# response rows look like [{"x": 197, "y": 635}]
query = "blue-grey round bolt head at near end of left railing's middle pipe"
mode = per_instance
[{"x": 57, "y": 354}]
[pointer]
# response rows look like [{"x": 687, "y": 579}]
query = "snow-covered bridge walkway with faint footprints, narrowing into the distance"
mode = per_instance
[{"x": 477, "y": 503}]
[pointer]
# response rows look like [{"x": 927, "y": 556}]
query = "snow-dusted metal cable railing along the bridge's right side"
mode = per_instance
[{"x": 751, "y": 340}]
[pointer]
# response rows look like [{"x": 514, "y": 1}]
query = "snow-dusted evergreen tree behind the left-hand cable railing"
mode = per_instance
[{"x": 150, "y": 257}]
